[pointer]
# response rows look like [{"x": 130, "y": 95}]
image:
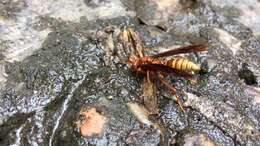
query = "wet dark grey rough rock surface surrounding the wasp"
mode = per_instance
[{"x": 57, "y": 57}]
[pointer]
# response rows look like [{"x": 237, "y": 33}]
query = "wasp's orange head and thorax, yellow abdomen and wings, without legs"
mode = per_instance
[{"x": 178, "y": 66}]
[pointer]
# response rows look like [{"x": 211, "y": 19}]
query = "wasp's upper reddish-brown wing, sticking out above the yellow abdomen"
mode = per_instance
[{"x": 184, "y": 49}]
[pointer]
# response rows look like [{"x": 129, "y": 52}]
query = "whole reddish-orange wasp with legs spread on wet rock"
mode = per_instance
[{"x": 157, "y": 66}]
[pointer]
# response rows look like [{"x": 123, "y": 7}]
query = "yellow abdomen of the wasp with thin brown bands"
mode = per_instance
[{"x": 183, "y": 64}]
